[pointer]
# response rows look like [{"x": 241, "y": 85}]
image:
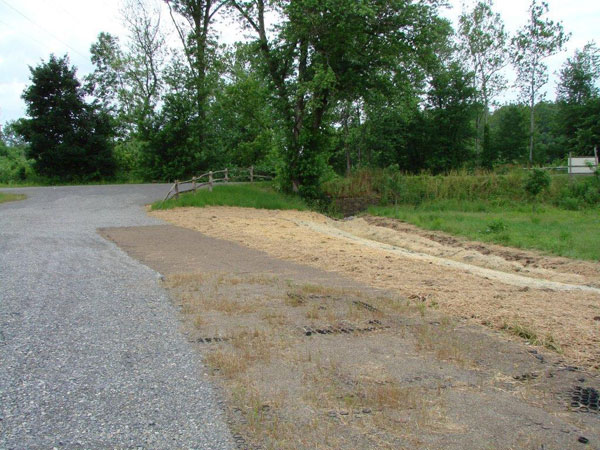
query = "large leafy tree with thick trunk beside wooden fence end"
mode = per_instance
[{"x": 325, "y": 52}]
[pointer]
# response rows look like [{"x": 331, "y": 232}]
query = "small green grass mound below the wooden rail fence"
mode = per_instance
[{"x": 257, "y": 195}]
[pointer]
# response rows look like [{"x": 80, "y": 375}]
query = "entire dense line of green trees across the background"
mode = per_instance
[{"x": 334, "y": 85}]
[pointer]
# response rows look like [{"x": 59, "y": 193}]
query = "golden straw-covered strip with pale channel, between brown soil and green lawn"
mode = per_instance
[{"x": 554, "y": 302}]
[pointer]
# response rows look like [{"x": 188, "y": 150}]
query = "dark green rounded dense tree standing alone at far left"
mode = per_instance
[{"x": 68, "y": 138}]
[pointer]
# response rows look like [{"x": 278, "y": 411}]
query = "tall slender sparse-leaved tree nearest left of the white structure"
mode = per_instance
[{"x": 536, "y": 41}]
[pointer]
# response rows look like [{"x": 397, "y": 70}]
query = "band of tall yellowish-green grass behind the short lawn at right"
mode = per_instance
[{"x": 394, "y": 187}]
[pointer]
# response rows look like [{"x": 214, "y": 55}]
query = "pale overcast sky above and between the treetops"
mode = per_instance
[{"x": 32, "y": 29}]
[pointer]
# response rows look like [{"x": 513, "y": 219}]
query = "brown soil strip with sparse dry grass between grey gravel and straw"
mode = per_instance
[{"x": 313, "y": 359}]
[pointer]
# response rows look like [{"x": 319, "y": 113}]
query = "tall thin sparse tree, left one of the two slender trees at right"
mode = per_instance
[{"x": 483, "y": 43}]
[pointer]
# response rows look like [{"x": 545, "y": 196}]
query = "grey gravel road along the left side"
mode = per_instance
[{"x": 90, "y": 352}]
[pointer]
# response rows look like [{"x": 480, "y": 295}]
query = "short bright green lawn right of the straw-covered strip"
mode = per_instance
[{"x": 573, "y": 234}]
